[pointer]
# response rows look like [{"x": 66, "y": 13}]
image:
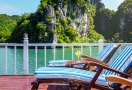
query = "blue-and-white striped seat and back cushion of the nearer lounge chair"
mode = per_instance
[{"x": 122, "y": 63}]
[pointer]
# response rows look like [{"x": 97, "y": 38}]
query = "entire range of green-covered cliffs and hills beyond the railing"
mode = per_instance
[{"x": 61, "y": 22}]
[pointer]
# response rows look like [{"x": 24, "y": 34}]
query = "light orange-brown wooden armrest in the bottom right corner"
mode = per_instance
[{"x": 117, "y": 79}]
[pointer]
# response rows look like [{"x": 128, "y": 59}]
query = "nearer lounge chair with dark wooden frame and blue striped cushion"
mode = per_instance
[{"x": 89, "y": 79}]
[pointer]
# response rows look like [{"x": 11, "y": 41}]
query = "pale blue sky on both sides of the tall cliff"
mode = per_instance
[{"x": 19, "y": 7}]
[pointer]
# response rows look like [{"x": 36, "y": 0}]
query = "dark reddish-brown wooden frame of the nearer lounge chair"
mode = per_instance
[{"x": 80, "y": 83}]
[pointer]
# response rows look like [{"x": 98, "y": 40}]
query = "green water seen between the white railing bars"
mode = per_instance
[{"x": 40, "y": 58}]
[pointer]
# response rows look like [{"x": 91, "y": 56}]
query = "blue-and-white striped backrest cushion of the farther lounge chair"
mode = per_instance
[{"x": 106, "y": 52}]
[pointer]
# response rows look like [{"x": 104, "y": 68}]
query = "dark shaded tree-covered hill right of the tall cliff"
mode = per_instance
[{"x": 115, "y": 26}]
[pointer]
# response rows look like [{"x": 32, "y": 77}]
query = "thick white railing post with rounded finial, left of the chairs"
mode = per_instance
[{"x": 25, "y": 53}]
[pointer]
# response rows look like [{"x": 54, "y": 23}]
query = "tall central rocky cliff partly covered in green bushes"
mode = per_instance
[{"x": 60, "y": 21}]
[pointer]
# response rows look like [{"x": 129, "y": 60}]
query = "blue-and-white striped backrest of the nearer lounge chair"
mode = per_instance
[{"x": 123, "y": 62}]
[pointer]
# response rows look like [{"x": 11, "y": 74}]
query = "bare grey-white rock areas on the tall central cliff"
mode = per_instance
[{"x": 79, "y": 22}]
